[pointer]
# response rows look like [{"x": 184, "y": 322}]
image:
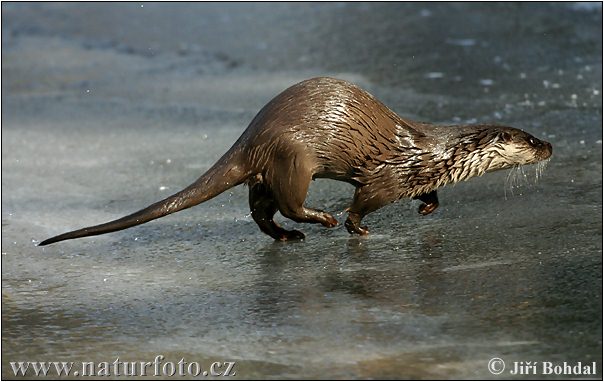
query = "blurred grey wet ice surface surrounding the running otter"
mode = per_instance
[{"x": 108, "y": 107}]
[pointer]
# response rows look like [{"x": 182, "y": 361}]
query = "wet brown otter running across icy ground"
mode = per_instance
[{"x": 329, "y": 128}]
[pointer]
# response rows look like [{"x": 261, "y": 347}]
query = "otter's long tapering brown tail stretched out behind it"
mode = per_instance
[{"x": 226, "y": 173}]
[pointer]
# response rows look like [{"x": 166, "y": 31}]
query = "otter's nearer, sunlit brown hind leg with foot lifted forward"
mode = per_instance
[{"x": 290, "y": 184}]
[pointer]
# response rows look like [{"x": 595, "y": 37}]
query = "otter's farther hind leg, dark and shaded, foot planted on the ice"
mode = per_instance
[{"x": 263, "y": 208}]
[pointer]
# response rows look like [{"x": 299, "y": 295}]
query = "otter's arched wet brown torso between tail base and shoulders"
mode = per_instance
[{"x": 339, "y": 123}]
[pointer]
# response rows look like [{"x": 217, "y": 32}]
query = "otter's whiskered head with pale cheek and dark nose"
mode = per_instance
[{"x": 512, "y": 147}]
